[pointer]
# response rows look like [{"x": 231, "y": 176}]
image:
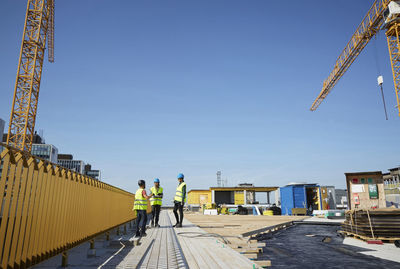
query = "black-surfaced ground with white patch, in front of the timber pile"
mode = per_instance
[{"x": 319, "y": 246}]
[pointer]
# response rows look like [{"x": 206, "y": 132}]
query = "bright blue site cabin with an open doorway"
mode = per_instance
[{"x": 300, "y": 195}]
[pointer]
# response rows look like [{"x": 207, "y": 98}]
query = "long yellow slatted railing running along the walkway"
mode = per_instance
[{"x": 47, "y": 209}]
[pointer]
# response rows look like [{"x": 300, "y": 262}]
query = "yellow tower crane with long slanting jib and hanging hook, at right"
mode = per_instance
[{"x": 384, "y": 14}]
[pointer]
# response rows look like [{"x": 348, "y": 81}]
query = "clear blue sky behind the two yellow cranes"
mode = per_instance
[{"x": 144, "y": 89}]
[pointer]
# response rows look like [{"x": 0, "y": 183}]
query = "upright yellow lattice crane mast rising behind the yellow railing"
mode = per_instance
[{"x": 39, "y": 25}]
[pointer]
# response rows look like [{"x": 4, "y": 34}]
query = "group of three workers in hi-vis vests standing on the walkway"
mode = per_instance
[{"x": 155, "y": 197}]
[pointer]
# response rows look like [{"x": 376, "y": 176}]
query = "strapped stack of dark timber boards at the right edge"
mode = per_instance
[{"x": 381, "y": 224}]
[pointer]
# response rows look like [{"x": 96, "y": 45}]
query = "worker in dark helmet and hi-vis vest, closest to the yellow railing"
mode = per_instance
[{"x": 140, "y": 206}]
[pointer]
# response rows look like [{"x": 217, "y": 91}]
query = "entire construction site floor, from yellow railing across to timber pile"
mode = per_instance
[{"x": 218, "y": 242}]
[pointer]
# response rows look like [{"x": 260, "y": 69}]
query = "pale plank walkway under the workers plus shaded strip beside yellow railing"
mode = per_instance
[{"x": 163, "y": 247}]
